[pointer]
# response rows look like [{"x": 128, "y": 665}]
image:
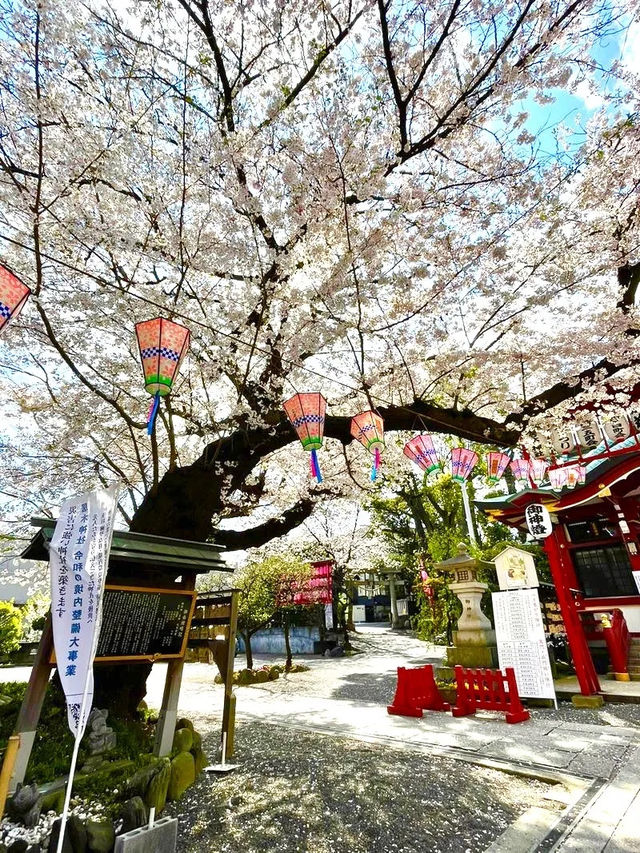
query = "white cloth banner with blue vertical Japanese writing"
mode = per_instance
[{"x": 78, "y": 560}]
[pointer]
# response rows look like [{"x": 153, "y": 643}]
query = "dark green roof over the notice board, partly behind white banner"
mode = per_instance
[{"x": 141, "y": 549}]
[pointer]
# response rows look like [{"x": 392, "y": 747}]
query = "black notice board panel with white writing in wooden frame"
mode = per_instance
[{"x": 139, "y": 623}]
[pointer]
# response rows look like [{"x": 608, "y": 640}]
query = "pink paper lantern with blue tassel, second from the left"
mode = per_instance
[{"x": 163, "y": 344}]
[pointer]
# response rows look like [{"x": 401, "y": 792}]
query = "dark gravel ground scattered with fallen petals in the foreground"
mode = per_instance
[{"x": 305, "y": 792}]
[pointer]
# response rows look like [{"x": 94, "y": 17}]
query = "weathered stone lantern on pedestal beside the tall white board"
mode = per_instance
[{"x": 474, "y": 643}]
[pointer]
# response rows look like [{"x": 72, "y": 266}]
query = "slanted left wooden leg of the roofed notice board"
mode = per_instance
[{"x": 29, "y": 713}]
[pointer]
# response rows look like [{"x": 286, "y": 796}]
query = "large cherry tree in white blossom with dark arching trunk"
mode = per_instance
[{"x": 339, "y": 196}]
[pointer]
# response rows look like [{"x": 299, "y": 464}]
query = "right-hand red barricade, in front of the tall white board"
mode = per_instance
[{"x": 485, "y": 689}]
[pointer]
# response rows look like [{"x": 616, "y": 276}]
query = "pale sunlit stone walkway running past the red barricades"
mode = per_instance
[{"x": 599, "y": 764}]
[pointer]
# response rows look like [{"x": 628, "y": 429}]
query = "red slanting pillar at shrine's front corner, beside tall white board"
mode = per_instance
[{"x": 561, "y": 572}]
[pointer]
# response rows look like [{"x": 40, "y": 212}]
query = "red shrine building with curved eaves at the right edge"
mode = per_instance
[{"x": 594, "y": 556}]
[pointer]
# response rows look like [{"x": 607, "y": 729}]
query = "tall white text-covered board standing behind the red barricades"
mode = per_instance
[{"x": 521, "y": 641}]
